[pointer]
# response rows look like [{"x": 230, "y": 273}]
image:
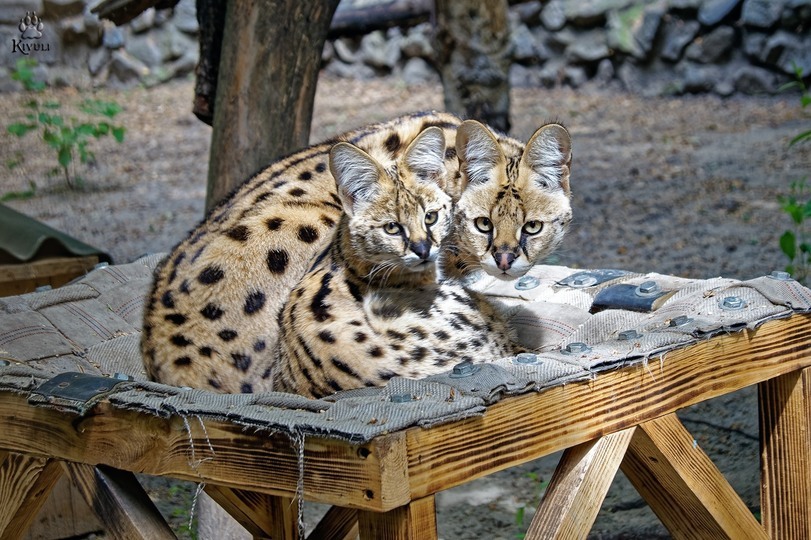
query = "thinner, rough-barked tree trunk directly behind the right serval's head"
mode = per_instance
[{"x": 472, "y": 45}]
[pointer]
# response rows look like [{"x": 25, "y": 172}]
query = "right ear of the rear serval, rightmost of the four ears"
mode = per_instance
[{"x": 548, "y": 155}]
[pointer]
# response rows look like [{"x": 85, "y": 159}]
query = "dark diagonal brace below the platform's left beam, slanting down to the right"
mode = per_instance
[{"x": 119, "y": 502}]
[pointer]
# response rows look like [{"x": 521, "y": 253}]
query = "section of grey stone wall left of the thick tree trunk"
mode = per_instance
[{"x": 76, "y": 48}]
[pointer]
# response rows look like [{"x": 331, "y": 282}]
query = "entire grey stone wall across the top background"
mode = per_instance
[{"x": 649, "y": 47}]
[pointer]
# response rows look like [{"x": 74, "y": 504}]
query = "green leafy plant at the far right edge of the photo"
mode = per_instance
[{"x": 794, "y": 243}]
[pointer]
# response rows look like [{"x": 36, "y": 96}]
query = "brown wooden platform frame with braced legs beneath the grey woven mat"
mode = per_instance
[{"x": 385, "y": 489}]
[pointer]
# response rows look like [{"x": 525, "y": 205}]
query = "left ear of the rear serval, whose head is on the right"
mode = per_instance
[{"x": 478, "y": 151}]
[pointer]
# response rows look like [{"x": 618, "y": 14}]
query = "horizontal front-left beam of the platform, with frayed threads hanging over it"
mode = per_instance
[{"x": 335, "y": 472}]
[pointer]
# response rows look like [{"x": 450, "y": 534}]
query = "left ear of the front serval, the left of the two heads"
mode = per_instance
[{"x": 356, "y": 174}]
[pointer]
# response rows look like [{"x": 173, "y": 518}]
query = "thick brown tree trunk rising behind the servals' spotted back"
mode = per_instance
[{"x": 271, "y": 54}]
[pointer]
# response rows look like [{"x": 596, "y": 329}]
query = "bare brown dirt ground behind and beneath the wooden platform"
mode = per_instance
[{"x": 682, "y": 185}]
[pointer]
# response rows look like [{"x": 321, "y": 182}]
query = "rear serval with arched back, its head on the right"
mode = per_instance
[{"x": 211, "y": 320}]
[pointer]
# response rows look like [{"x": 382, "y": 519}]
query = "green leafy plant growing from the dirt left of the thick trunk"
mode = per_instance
[{"x": 68, "y": 137}]
